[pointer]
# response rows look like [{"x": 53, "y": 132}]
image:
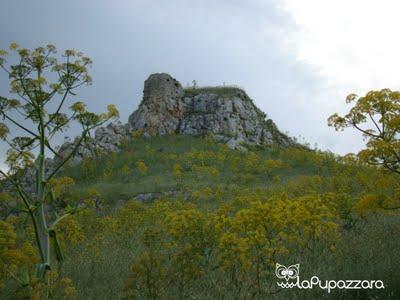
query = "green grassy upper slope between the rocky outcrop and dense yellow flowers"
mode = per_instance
[{"x": 147, "y": 165}]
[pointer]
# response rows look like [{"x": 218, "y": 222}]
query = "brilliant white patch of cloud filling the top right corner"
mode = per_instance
[{"x": 353, "y": 44}]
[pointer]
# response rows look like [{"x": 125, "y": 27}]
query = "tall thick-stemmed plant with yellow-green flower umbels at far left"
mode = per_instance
[{"x": 41, "y": 84}]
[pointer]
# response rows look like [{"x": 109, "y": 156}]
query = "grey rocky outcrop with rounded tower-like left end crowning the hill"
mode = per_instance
[{"x": 226, "y": 112}]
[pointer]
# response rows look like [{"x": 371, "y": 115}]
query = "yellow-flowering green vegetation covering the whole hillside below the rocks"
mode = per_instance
[{"x": 222, "y": 221}]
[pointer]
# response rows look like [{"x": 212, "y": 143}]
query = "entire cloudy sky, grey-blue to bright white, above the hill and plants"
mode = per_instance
[{"x": 297, "y": 59}]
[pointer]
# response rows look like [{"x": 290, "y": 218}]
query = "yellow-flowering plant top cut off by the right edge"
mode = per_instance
[{"x": 377, "y": 116}]
